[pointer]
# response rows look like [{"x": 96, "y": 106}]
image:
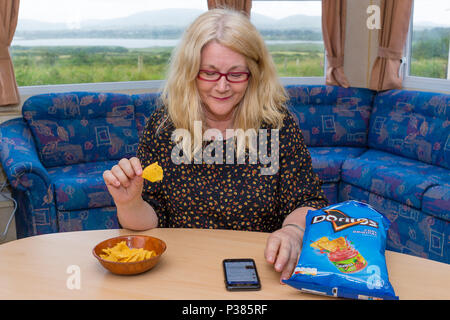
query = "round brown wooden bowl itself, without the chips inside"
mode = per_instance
[{"x": 132, "y": 241}]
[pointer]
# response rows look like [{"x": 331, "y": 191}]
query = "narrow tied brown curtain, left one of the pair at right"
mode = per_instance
[{"x": 334, "y": 14}]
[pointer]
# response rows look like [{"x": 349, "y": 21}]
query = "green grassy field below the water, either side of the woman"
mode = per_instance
[{"x": 66, "y": 65}]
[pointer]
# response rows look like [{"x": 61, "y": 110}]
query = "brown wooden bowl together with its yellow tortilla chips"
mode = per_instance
[{"x": 129, "y": 254}]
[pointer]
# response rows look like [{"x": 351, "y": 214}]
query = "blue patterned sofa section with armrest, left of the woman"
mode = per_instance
[{"x": 55, "y": 155}]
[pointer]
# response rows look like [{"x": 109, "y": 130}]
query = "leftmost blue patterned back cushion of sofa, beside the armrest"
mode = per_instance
[{"x": 76, "y": 127}]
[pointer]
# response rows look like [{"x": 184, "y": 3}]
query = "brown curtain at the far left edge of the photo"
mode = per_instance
[{"x": 9, "y": 12}]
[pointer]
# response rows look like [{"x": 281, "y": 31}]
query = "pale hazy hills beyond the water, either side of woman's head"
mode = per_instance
[{"x": 175, "y": 18}]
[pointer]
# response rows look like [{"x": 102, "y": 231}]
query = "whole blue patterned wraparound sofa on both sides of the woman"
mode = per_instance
[{"x": 391, "y": 150}]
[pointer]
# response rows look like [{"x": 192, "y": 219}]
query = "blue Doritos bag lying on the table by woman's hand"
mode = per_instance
[{"x": 343, "y": 253}]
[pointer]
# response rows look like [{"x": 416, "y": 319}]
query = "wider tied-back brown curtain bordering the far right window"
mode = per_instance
[{"x": 395, "y": 16}]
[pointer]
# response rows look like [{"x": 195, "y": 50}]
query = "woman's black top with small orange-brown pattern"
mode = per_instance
[{"x": 231, "y": 194}]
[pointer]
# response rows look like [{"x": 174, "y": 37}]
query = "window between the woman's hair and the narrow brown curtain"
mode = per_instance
[{"x": 293, "y": 34}]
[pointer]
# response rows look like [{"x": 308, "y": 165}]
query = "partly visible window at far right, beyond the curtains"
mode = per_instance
[{"x": 428, "y": 46}]
